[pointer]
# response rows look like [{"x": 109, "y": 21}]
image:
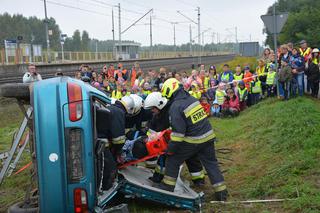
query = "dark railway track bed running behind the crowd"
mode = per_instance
[{"x": 179, "y": 64}]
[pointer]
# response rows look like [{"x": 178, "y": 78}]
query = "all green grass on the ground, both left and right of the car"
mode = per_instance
[{"x": 275, "y": 154}]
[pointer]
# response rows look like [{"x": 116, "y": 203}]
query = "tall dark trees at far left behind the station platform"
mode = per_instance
[{"x": 32, "y": 29}]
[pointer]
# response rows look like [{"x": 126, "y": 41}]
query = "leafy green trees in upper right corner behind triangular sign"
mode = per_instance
[{"x": 303, "y": 22}]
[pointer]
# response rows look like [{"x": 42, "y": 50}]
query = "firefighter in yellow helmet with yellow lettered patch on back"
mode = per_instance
[{"x": 192, "y": 135}]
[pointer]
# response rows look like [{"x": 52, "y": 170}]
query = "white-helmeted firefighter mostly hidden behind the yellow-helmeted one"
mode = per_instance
[{"x": 159, "y": 122}]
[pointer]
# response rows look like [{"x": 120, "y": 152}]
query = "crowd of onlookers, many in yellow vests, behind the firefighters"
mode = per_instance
[{"x": 221, "y": 93}]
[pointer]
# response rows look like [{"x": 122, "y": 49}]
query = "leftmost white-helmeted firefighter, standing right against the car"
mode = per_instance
[{"x": 110, "y": 127}]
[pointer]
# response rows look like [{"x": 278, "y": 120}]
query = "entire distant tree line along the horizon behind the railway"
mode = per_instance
[{"x": 32, "y": 29}]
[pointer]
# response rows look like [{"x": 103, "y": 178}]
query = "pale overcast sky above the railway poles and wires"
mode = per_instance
[{"x": 221, "y": 16}]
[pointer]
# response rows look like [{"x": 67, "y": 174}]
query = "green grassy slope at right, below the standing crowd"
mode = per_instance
[{"x": 276, "y": 152}]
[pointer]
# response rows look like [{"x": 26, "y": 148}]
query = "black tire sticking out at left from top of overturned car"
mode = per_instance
[{"x": 15, "y": 90}]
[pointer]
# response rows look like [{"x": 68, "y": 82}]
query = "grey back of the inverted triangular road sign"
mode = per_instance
[{"x": 268, "y": 21}]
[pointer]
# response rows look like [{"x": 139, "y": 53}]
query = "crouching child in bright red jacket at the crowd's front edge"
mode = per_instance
[{"x": 231, "y": 104}]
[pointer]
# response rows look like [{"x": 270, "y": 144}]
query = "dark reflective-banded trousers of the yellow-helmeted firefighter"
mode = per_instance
[{"x": 181, "y": 151}]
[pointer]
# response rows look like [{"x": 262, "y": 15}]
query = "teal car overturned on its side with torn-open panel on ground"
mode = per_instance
[{"x": 65, "y": 153}]
